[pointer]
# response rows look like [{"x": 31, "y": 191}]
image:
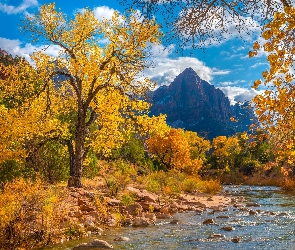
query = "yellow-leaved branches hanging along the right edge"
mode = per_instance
[{"x": 276, "y": 106}]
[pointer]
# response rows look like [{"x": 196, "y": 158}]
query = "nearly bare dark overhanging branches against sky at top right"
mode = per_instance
[{"x": 198, "y": 23}]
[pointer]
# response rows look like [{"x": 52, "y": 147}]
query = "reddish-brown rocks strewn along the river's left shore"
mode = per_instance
[{"x": 92, "y": 218}]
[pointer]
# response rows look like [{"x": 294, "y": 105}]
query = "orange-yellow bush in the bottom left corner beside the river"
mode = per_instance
[{"x": 29, "y": 216}]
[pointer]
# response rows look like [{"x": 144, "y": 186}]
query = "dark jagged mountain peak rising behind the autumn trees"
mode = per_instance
[{"x": 193, "y": 104}]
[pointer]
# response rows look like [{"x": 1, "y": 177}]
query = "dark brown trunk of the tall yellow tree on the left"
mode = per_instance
[{"x": 76, "y": 168}]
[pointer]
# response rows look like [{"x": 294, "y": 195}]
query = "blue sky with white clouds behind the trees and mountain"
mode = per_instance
[{"x": 225, "y": 65}]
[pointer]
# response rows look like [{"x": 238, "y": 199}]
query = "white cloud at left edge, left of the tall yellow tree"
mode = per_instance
[{"x": 16, "y": 47}]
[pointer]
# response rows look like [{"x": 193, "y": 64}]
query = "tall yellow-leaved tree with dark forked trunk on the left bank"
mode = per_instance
[{"x": 90, "y": 89}]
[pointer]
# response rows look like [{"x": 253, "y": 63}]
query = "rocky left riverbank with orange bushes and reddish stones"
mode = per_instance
[{"x": 34, "y": 214}]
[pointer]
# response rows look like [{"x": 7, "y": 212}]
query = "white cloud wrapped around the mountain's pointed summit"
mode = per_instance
[{"x": 164, "y": 69}]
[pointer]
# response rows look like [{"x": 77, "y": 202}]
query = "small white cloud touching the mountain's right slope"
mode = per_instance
[{"x": 238, "y": 94}]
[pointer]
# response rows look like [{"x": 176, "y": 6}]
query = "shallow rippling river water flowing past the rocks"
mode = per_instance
[{"x": 265, "y": 230}]
